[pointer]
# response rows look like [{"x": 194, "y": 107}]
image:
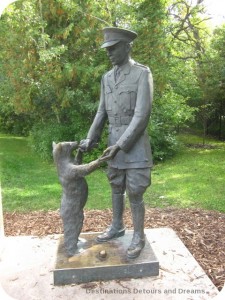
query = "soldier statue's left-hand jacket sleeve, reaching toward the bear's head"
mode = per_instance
[{"x": 97, "y": 126}]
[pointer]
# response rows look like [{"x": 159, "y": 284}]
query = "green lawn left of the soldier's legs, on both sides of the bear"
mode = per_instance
[{"x": 28, "y": 183}]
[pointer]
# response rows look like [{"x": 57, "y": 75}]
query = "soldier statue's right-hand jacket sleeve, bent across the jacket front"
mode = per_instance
[{"x": 142, "y": 112}]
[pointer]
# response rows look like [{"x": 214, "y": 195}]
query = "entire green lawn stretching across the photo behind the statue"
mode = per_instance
[{"x": 193, "y": 178}]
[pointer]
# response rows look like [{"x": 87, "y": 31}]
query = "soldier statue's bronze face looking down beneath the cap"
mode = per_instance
[{"x": 118, "y": 53}]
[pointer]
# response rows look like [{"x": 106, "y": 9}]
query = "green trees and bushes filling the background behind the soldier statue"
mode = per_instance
[{"x": 51, "y": 80}]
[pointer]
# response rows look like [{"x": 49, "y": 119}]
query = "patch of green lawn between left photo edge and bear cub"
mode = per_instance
[{"x": 27, "y": 183}]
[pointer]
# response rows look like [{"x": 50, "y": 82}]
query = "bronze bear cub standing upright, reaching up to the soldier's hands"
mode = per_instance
[{"x": 71, "y": 175}]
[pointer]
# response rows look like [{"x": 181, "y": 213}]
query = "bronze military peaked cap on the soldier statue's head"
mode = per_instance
[{"x": 114, "y": 35}]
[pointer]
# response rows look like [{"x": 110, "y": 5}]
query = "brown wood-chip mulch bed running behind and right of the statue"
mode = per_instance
[{"x": 202, "y": 232}]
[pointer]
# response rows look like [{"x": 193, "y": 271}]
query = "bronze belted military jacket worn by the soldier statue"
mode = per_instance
[{"x": 126, "y": 104}]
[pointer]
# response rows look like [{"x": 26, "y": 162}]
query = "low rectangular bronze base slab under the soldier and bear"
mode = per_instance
[{"x": 103, "y": 261}]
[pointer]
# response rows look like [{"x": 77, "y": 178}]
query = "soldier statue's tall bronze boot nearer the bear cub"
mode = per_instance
[{"x": 116, "y": 229}]
